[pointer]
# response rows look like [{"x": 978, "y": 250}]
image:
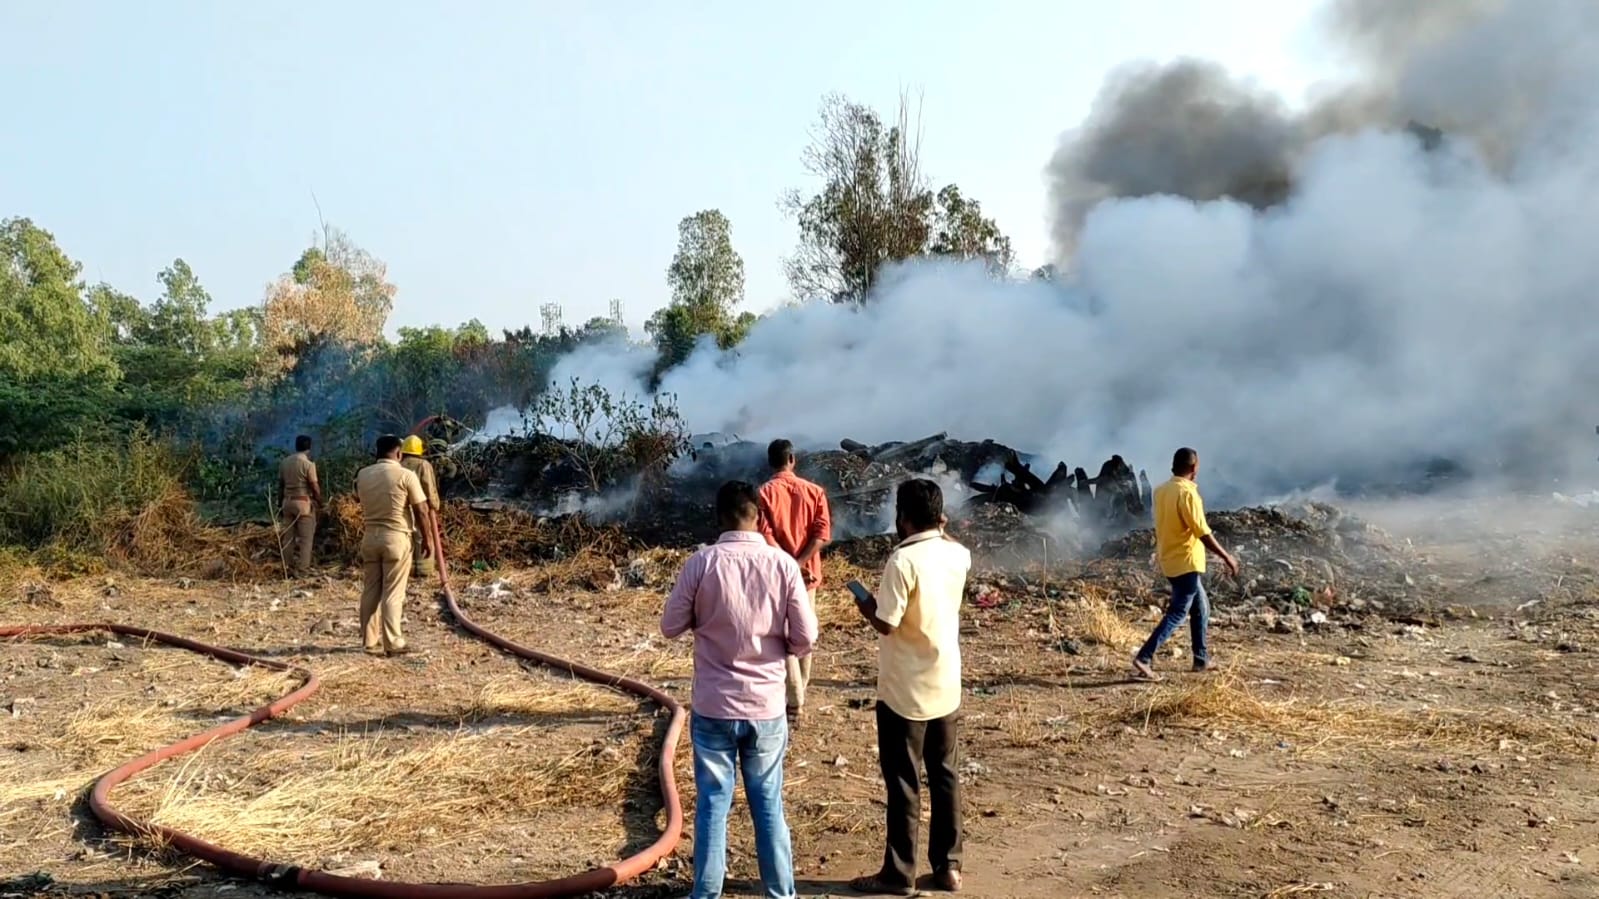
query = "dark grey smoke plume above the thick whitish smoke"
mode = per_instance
[{"x": 1475, "y": 70}]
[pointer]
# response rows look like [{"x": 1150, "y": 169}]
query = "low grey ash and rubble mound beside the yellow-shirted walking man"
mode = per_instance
[{"x": 1302, "y": 565}]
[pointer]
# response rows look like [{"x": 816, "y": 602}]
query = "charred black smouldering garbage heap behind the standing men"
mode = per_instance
[{"x": 999, "y": 501}]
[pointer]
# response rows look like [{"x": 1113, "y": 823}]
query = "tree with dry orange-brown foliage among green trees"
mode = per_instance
[{"x": 335, "y": 294}]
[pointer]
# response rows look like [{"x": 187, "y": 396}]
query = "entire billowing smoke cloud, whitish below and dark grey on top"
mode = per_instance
[{"x": 1304, "y": 297}]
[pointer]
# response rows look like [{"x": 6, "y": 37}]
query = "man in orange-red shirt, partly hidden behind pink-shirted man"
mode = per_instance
[{"x": 796, "y": 521}]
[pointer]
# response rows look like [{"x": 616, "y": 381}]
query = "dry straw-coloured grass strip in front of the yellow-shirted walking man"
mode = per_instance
[{"x": 1347, "y": 727}]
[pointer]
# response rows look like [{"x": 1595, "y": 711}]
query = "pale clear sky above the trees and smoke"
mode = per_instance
[{"x": 506, "y": 154}]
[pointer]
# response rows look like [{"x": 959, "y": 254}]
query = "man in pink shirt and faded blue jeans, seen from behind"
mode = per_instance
[{"x": 748, "y": 609}]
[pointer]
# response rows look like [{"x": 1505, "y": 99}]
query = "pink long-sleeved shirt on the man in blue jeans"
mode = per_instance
[{"x": 748, "y": 607}]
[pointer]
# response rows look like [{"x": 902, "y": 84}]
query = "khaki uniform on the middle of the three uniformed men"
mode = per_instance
[{"x": 388, "y": 493}]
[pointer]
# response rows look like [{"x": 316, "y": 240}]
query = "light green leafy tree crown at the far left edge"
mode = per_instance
[{"x": 47, "y": 326}]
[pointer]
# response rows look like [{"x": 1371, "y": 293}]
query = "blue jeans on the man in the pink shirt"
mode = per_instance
[{"x": 722, "y": 749}]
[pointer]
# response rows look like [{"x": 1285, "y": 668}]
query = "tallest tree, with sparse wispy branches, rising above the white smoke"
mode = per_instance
[{"x": 875, "y": 207}]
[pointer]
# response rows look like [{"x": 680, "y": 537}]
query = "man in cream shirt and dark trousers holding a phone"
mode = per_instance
[{"x": 917, "y": 613}]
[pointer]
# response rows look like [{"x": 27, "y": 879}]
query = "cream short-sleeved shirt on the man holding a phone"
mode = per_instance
[{"x": 920, "y": 596}]
